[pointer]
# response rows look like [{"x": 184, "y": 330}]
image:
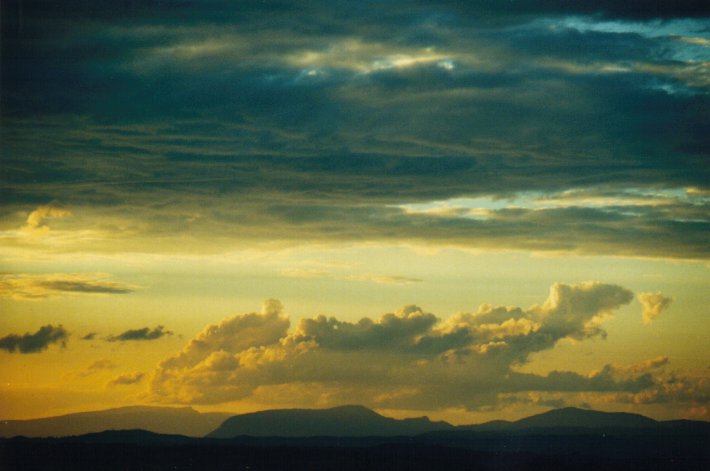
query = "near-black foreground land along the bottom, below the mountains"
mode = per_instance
[{"x": 419, "y": 453}]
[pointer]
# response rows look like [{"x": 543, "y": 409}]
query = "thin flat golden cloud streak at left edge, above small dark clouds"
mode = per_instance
[{"x": 32, "y": 287}]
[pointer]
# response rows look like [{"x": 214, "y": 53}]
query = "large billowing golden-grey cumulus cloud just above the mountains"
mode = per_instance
[{"x": 408, "y": 358}]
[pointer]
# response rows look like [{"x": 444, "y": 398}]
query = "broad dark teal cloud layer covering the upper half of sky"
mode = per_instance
[{"x": 326, "y": 128}]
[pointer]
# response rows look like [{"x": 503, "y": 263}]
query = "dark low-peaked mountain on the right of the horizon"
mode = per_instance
[{"x": 570, "y": 417}]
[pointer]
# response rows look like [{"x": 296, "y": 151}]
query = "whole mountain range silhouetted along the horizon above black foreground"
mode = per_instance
[{"x": 343, "y": 421}]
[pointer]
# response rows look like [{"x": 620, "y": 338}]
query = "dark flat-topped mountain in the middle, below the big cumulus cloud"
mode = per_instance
[{"x": 344, "y": 421}]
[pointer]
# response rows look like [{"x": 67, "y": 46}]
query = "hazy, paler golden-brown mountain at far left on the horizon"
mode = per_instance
[{"x": 163, "y": 420}]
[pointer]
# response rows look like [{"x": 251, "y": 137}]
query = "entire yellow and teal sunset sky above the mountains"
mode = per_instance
[{"x": 466, "y": 210}]
